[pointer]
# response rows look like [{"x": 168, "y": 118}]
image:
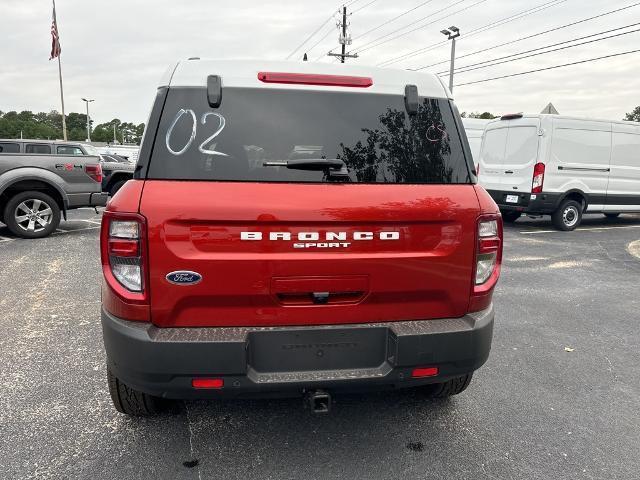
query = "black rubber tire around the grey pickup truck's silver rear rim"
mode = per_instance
[{"x": 28, "y": 198}]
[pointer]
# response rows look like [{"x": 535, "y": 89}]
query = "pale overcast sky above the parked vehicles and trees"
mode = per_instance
[{"x": 115, "y": 51}]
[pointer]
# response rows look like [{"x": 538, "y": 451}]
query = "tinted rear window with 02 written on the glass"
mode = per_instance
[{"x": 370, "y": 133}]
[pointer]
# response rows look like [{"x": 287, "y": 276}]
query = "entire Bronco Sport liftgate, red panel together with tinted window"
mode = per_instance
[{"x": 243, "y": 195}]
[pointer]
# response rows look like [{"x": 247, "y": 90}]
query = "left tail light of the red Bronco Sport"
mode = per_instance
[{"x": 124, "y": 264}]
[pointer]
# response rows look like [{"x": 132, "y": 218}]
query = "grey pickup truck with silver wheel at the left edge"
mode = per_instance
[{"x": 41, "y": 180}]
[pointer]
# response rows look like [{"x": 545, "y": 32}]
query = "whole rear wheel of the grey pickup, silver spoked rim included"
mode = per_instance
[{"x": 32, "y": 214}]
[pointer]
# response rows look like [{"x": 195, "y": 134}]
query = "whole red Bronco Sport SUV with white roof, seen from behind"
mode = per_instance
[{"x": 301, "y": 229}]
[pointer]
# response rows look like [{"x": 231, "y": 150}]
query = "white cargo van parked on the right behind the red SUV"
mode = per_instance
[{"x": 561, "y": 166}]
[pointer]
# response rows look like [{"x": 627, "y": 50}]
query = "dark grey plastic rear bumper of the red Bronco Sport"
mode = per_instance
[{"x": 255, "y": 361}]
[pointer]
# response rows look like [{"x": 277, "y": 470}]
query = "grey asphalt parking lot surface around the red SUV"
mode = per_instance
[{"x": 558, "y": 398}]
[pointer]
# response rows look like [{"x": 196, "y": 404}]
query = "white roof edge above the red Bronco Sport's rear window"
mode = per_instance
[{"x": 244, "y": 73}]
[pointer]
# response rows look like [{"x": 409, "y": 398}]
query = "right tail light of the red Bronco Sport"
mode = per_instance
[{"x": 488, "y": 260}]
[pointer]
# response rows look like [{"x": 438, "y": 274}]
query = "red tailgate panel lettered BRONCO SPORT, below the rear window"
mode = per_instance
[{"x": 369, "y": 253}]
